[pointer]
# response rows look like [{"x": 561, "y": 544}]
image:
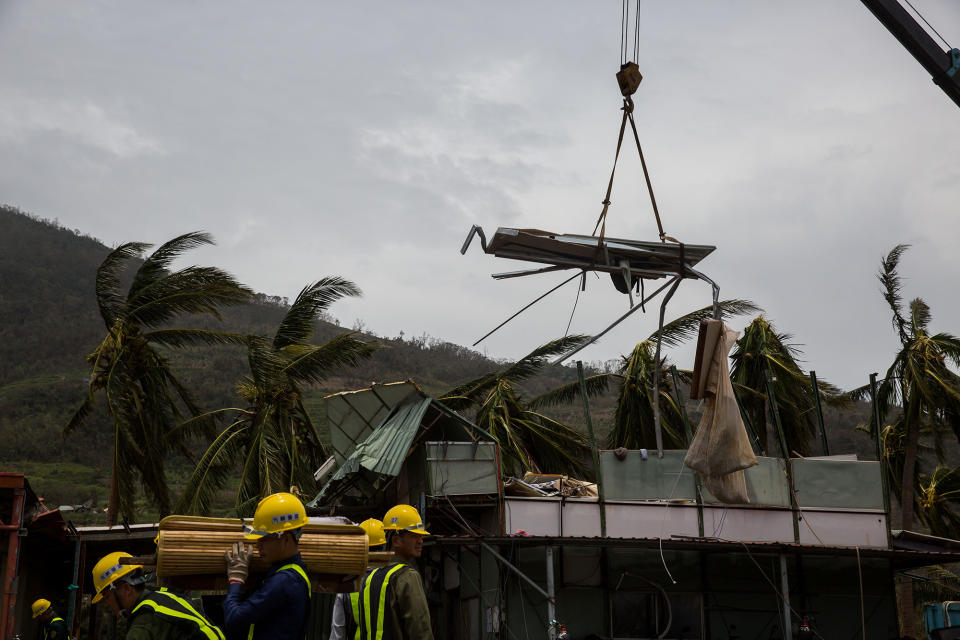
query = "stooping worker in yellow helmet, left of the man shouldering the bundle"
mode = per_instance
[{"x": 152, "y": 615}]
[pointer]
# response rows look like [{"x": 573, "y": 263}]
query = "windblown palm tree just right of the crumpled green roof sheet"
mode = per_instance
[{"x": 529, "y": 440}]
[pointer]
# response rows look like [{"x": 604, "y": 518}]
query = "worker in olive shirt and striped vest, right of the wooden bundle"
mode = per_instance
[{"x": 397, "y": 587}]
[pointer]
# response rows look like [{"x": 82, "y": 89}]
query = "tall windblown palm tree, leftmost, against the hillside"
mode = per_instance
[{"x": 143, "y": 397}]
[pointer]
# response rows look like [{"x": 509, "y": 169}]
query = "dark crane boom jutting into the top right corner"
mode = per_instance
[{"x": 943, "y": 66}]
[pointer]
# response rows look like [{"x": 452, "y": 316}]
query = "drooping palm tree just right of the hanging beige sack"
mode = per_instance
[{"x": 762, "y": 353}]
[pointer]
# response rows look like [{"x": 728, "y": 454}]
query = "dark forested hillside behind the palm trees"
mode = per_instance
[{"x": 49, "y": 323}]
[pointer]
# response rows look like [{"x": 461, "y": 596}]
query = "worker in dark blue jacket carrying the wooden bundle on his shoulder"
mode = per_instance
[{"x": 278, "y": 609}]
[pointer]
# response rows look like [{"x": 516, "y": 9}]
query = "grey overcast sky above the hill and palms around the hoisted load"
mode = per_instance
[{"x": 364, "y": 139}]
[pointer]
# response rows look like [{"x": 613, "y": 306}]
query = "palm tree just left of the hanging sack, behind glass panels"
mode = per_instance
[{"x": 634, "y": 426}]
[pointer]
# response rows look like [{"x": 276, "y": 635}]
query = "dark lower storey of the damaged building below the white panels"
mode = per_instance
[{"x": 712, "y": 595}]
